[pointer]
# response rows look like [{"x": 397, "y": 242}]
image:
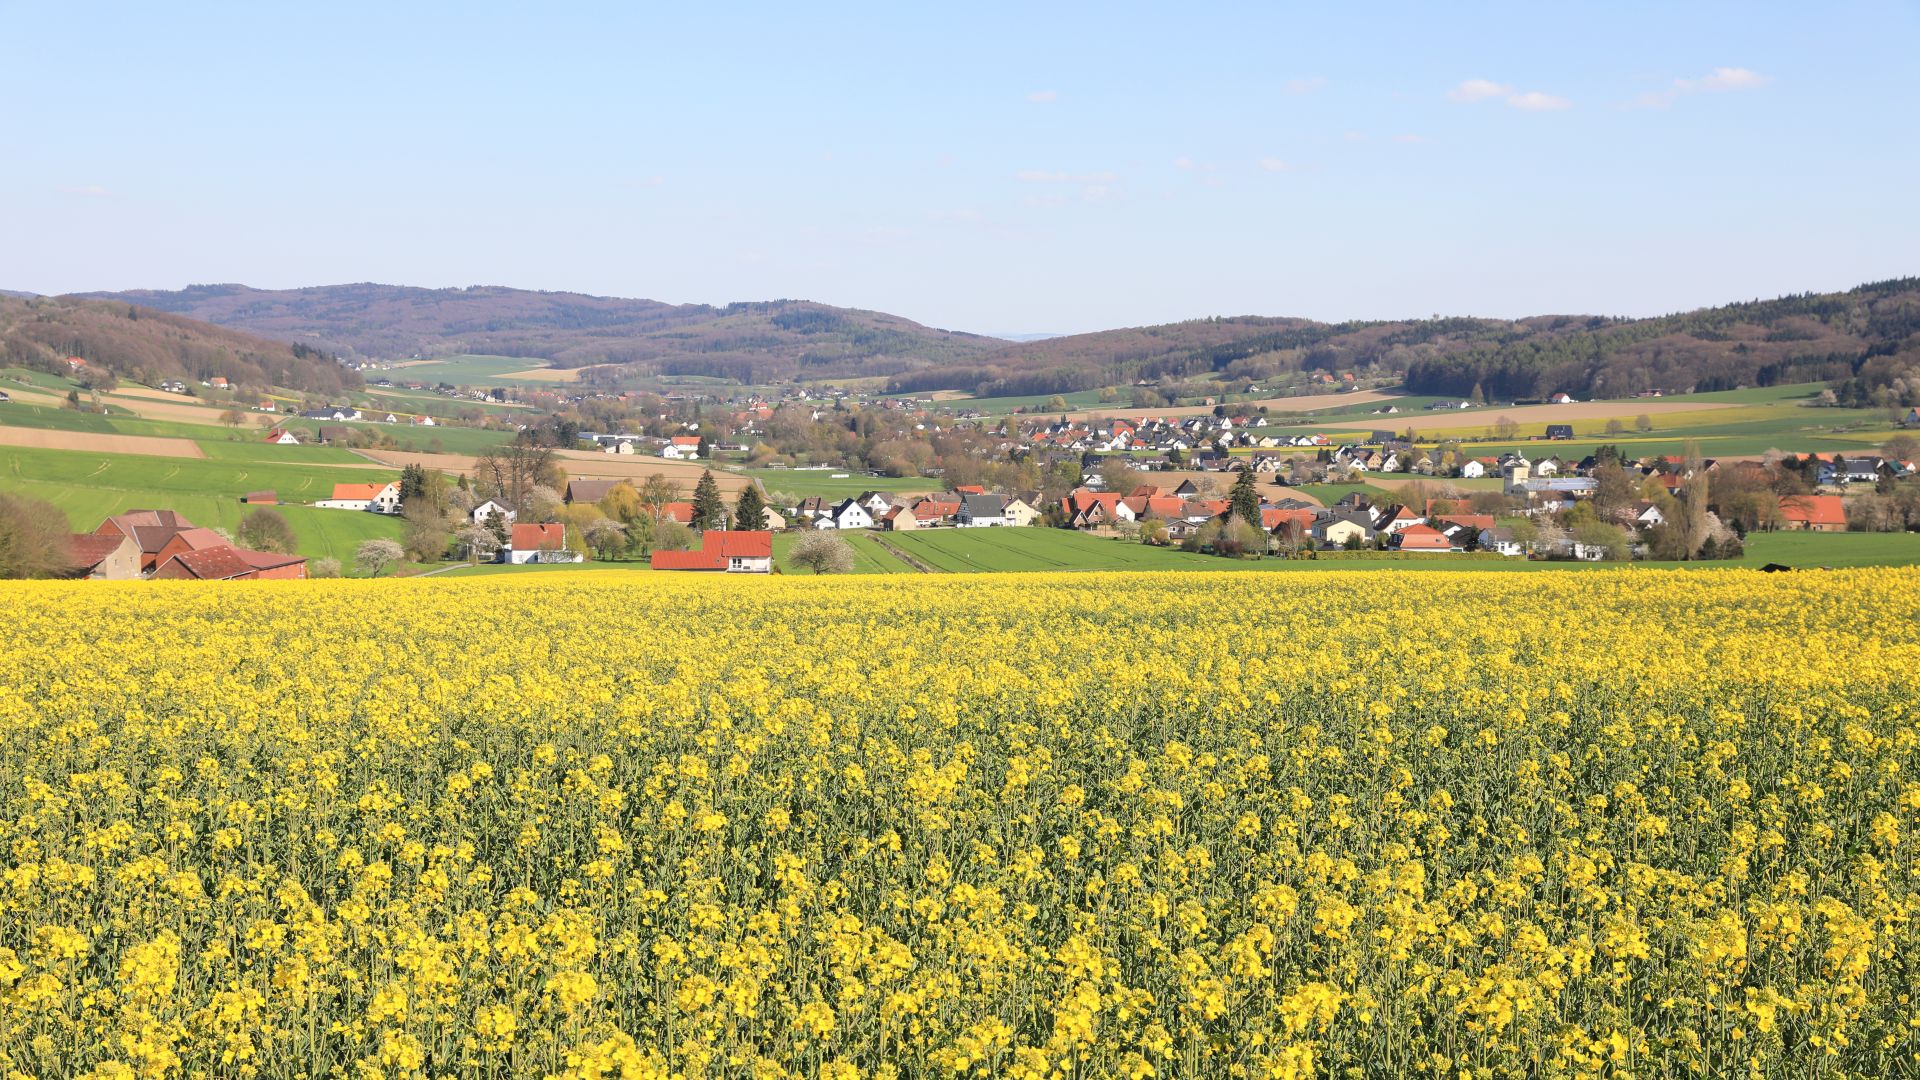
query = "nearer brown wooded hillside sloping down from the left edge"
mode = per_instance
[{"x": 147, "y": 347}]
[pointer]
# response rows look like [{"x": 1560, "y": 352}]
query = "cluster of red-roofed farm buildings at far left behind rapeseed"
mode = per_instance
[{"x": 164, "y": 547}]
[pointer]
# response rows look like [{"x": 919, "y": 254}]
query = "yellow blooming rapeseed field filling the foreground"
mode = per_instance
[{"x": 1045, "y": 825}]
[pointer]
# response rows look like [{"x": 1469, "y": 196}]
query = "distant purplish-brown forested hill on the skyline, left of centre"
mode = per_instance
[{"x": 754, "y": 343}]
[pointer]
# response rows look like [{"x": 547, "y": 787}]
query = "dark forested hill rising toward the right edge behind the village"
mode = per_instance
[{"x": 1867, "y": 337}]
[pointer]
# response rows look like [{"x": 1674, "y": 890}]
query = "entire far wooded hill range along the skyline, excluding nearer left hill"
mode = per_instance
[{"x": 1863, "y": 341}]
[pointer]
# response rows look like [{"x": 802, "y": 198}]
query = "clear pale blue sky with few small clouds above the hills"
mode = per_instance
[{"x": 990, "y": 168}]
